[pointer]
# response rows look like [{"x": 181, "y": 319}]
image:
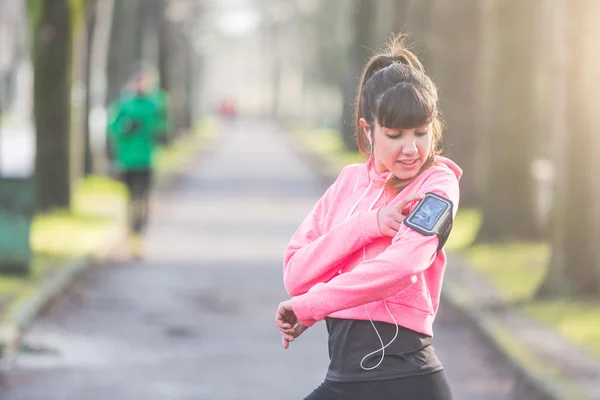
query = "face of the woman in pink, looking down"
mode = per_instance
[{"x": 400, "y": 151}]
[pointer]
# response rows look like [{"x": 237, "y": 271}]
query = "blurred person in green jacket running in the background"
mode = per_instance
[{"x": 138, "y": 123}]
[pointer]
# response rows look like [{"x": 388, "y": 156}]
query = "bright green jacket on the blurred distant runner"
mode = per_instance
[{"x": 135, "y": 124}]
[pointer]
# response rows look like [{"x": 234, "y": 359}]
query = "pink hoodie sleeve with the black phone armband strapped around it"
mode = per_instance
[{"x": 383, "y": 276}]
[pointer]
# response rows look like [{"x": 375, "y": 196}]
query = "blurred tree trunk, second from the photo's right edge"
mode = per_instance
[{"x": 511, "y": 123}]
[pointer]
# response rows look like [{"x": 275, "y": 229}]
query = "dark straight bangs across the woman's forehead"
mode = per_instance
[{"x": 405, "y": 107}]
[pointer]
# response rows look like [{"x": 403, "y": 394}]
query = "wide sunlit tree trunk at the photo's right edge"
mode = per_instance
[{"x": 574, "y": 268}]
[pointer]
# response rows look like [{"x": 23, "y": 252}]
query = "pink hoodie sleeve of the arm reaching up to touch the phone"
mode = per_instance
[{"x": 314, "y": 255}]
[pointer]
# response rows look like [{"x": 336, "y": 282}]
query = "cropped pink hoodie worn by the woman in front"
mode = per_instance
[{"x": 325, "y": 267}]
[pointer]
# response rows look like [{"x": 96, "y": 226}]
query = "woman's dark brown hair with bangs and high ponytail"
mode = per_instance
[{"x": 395, "y": 91}]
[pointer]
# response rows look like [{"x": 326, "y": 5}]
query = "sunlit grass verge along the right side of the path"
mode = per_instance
[{"x": 514, "y": 268}]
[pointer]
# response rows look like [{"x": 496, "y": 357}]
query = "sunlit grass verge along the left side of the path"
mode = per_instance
[{"x": 98, "y": 206}]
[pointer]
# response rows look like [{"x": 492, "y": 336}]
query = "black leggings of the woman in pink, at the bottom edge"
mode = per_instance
[{"x": 424, "y": 387}]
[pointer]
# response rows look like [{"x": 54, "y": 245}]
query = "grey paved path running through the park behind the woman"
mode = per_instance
[{"x": 194, "y": 320}]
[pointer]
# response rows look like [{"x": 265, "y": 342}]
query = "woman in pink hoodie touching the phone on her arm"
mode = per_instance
[{"x": 354, "y": 263}]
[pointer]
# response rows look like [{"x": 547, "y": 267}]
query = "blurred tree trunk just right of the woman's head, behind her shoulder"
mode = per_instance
[{"x": 456, "y": 68}]
